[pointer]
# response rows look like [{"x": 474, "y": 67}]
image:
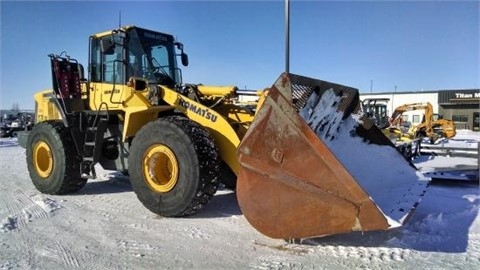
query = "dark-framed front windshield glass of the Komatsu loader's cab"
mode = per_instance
[{"x": 151, "y": 55}]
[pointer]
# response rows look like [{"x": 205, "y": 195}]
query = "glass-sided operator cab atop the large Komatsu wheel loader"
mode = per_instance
[{"x": 117, "y": 56}]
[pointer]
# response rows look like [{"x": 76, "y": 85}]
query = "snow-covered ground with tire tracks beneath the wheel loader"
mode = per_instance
[{"x": 104, "y": 226}]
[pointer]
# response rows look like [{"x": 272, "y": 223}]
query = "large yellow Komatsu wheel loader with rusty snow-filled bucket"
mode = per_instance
[{"x": 177, "y": 142}]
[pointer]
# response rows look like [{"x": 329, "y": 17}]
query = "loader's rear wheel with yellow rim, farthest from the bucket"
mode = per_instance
[{"x": 53, "y": 162}]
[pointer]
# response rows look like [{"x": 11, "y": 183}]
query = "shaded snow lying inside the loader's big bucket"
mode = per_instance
[{"x": 392, "y": 183}]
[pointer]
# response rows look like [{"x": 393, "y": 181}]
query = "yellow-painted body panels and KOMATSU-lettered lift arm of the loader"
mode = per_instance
[{"x": 227, "y": 123}]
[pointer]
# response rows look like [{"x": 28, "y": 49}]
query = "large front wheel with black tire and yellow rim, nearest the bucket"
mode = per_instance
[{"x": 174, "y": 166}]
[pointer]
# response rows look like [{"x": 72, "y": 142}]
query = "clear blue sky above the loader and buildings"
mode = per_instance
[{"x": 427, "y": 45}]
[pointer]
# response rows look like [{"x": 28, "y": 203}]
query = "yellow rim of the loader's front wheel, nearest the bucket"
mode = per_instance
[{"x": 160, "y": 168}]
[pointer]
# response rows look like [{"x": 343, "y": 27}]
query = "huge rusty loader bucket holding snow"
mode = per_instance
[{"x": 311, "y": 165}]
